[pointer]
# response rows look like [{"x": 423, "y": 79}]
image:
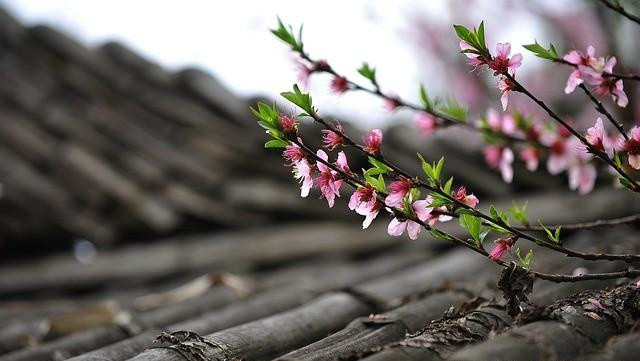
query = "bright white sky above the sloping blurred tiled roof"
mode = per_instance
[{"x": 231, "y": 39}]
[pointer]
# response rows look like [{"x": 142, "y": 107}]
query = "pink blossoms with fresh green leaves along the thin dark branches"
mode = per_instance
[{"x": 386, "y": 187}]
